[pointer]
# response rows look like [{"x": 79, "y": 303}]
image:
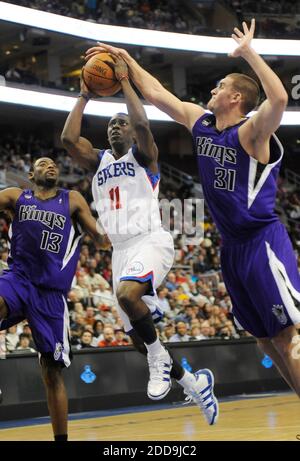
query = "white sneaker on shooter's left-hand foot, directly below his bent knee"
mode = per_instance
[{"x": 160, "y": 381}]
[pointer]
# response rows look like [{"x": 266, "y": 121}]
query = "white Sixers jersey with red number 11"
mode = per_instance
[{"x": 126, "y": 197}]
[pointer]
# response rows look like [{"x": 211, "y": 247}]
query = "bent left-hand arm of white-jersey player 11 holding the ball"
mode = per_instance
[{"x": 78, "y": 147}]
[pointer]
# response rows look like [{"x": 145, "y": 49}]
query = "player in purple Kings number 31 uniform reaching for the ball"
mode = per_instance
[{"x": 258, "y": 262}]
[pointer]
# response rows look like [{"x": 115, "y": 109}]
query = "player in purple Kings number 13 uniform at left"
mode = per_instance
[{"x": 44, "y": 250}]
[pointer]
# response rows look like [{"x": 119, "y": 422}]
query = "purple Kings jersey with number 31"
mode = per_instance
[{"x": 239, "y": 191}]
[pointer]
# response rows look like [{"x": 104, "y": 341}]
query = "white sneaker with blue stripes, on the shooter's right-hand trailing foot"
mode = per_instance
[{"x": 203, "y": 395}]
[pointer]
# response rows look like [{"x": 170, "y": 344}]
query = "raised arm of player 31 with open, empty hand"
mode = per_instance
[{"x": 258, "y": 129}]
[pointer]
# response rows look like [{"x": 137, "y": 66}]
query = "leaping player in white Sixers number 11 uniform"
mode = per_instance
[{"x": 125, "y": 190}]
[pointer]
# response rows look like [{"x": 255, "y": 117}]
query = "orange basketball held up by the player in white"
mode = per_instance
[{"x": 99, "y": 76}]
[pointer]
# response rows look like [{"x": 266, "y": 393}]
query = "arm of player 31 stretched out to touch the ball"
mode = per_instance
[{"x": 183, "y": 112}]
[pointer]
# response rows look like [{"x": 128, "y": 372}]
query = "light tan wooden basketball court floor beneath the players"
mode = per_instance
[{"x": 268, "y": 417}]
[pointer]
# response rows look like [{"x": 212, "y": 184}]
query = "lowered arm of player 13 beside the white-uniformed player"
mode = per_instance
[{"x": 80, "y": 210}]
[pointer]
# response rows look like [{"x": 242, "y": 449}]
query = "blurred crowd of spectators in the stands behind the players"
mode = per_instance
[{"x": 193, "y": 297}]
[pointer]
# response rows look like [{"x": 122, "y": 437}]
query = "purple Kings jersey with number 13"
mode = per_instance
[{"x": 44, "y": 242}]
